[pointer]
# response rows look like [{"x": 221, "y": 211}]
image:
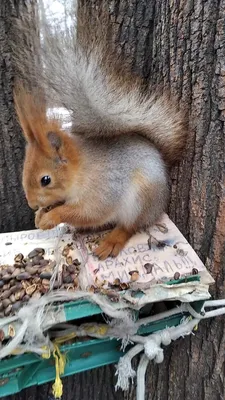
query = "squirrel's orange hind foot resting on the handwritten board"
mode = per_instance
[{"x": 113, "y": 243}]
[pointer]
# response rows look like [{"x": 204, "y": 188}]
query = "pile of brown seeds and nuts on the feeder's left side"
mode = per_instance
[{"x": 29, "y": 277}]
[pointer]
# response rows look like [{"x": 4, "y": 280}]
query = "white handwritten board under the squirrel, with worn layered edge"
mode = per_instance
[{"x": 149, "y": 261}]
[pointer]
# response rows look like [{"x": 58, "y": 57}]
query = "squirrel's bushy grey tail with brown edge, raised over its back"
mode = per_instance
[{"x": 86, "y": 76}]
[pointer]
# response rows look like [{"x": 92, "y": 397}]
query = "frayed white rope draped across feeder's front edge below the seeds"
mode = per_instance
[{"x": 34, "y": 319}]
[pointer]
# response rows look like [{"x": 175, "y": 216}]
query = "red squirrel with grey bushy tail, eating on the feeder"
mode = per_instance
[{"x": 112, "y": 167}]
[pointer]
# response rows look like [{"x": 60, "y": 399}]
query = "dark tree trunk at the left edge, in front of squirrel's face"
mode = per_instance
[{"x": 14, "y": 212}]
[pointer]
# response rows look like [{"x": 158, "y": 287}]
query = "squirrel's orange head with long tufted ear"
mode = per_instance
[{"x": 42, "y": 157}]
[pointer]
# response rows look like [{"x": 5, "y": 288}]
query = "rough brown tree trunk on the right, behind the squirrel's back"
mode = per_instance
[{"x": 188, "y": 56}]
